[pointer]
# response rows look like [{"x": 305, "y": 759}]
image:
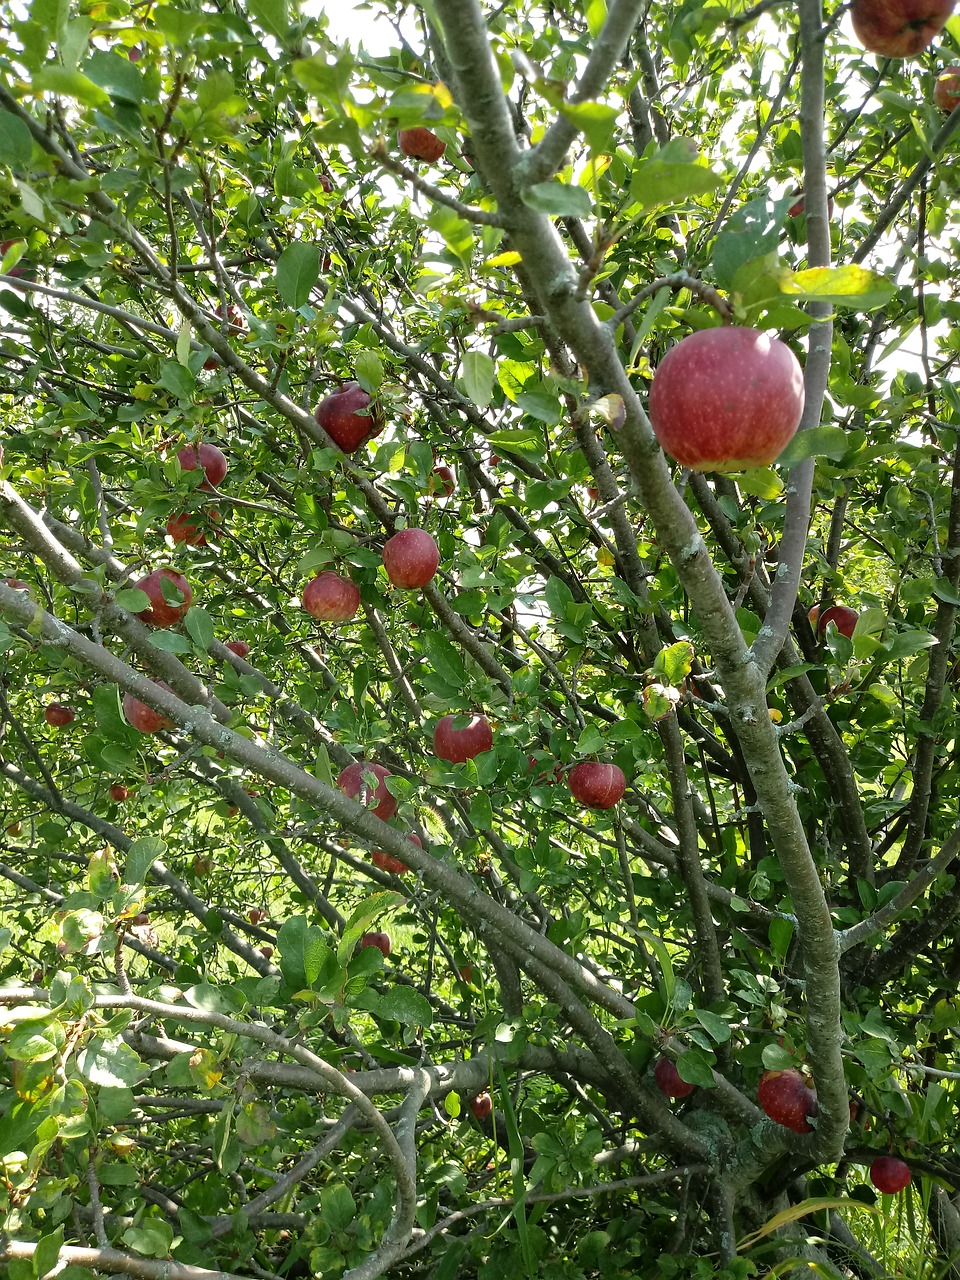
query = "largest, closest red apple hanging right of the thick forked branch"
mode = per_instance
[{"x": 726, "y": 400}]
